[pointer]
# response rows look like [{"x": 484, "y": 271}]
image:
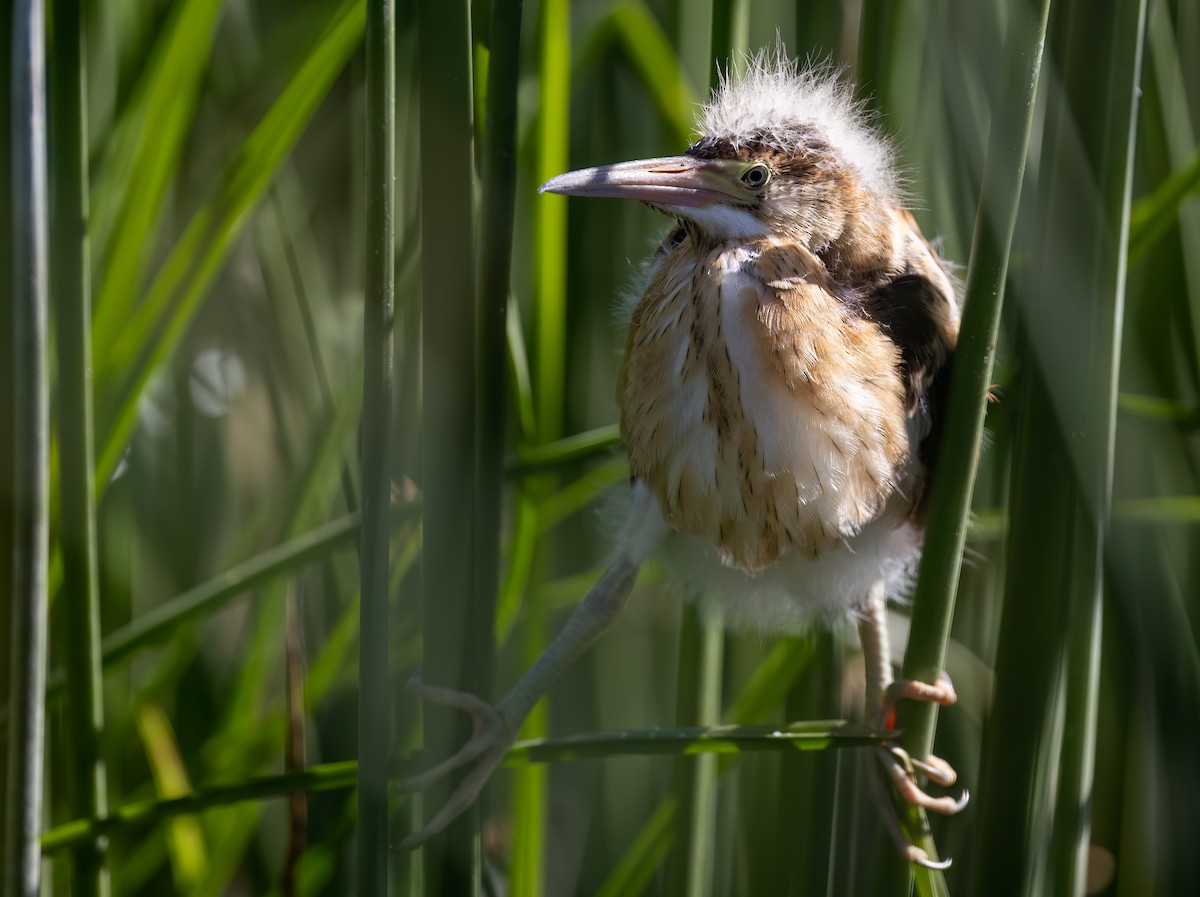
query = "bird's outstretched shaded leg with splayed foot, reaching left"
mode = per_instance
[{"x": 496, "y": 727}]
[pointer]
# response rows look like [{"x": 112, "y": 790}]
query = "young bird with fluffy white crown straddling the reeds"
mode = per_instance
[{"x": 781, "y": 398}]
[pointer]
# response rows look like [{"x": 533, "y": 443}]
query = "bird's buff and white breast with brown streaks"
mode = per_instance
[{"x": 754, "y": 407}]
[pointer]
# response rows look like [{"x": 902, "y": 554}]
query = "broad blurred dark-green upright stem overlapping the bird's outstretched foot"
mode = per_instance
[{"x": 458, "y": 635}]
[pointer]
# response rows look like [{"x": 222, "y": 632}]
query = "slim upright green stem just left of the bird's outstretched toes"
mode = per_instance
[{"x": 375, "y": 730}]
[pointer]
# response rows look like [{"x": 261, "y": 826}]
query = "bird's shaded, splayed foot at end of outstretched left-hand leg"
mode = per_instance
[{"x": 490, "y": 741}]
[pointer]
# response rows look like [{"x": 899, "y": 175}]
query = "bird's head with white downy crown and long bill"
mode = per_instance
[{"x": 783, "y": 152}]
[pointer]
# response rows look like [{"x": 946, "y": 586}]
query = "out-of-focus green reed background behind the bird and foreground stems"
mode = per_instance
[{"x": 226, "y": 147}]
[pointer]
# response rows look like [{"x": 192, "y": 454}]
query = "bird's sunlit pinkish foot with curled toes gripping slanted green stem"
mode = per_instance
[{"x": 899, "y": 770}]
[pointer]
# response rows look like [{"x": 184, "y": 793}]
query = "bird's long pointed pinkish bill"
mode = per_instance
[{"x": 671, "y": 182}]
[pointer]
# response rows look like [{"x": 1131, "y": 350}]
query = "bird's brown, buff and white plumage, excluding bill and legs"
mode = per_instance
[{"x": 776, "y": 390}]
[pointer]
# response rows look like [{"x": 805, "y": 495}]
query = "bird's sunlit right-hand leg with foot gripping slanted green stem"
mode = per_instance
[{"x": 897, "y": 768}]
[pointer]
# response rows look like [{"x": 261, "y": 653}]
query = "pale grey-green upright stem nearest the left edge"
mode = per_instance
[{"x": 23, "y": 800}]
